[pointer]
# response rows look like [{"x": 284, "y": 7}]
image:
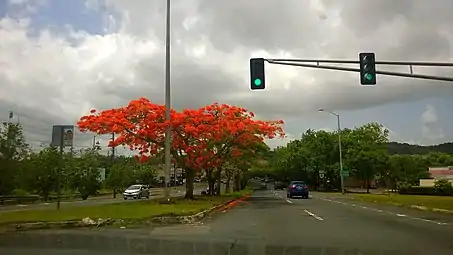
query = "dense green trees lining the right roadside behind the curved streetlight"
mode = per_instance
[{"x": 365, "y": 155}]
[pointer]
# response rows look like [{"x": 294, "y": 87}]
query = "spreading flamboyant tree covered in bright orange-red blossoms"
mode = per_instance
[{"x": 201, "y": 138}]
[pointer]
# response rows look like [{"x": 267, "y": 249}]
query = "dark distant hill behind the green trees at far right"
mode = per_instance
[{"x": 405, "y": 148}]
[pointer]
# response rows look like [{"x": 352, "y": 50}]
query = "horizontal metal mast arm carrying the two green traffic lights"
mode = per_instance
[{"x": 299, "y": 62}]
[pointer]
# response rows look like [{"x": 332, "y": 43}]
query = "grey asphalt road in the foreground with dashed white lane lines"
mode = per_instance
[{"x": 268, "y": 223}]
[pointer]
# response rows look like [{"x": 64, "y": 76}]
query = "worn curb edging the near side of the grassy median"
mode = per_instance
[{"x": 87, "y": 222}]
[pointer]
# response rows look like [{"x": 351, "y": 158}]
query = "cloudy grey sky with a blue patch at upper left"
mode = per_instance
[{"x": 58, "y": 59}]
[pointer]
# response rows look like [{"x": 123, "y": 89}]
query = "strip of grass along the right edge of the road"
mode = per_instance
[{"x": 440, "y": 202}]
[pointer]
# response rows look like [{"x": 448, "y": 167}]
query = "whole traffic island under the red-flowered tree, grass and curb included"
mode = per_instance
[{"x": 137, "y": 213}]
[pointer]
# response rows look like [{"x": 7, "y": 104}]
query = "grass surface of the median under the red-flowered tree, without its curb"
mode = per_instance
[{"x": 139, "y": 210}]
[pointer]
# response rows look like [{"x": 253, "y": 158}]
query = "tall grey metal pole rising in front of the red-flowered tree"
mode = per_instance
[{"x": 167, "y": 105}]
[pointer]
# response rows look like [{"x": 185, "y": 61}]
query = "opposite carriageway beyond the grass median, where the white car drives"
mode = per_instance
[{"x": 155, "y": 193}]
